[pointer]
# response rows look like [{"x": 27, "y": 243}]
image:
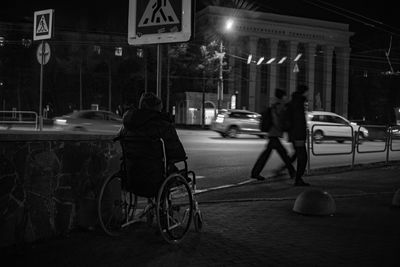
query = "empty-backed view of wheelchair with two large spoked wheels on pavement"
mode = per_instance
[{"x": 170, "y": 199}]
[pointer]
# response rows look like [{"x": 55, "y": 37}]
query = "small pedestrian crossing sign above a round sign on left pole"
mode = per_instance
[{"x": 43, "y": 24}]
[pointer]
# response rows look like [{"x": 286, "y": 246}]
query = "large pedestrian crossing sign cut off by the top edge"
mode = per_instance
[{"x": 159, "y": 21}]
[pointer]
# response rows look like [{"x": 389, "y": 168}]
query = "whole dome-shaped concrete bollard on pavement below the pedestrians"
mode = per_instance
[{"x": 315, "y": 202}]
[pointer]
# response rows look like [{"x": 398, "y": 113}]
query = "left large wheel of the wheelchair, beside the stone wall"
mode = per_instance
[{"x": 115, "y": 206}]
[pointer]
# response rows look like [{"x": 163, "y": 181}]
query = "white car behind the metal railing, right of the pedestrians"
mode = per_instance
[{"x": 331, "y": 126}]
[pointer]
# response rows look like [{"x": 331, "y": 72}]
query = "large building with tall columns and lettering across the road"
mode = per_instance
[{"x": 294, "y": 51}]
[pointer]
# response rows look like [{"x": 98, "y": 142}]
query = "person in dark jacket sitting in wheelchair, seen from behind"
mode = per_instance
[{"x": 144, "y": 159}]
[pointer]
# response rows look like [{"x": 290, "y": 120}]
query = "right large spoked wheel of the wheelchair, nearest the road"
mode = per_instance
[{"x": 174, "y": 208}]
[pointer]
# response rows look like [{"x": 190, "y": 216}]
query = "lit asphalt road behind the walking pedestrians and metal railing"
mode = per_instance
[{"x": 221, "y": 161}]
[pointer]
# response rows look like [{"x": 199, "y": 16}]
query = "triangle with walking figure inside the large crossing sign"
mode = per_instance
[{"x": 158, "y": 13}]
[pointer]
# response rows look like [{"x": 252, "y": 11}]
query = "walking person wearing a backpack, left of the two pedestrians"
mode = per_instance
[{"x": 271, "y": 122}]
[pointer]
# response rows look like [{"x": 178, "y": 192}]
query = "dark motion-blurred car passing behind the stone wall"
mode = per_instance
[{"x": 89, "y": 120}]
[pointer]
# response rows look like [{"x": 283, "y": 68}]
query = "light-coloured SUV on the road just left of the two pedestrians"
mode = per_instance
[{"x": 231, "y": 122}]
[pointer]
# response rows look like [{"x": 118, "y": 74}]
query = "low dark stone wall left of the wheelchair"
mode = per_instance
[{"x": 49, "y": 182}]
